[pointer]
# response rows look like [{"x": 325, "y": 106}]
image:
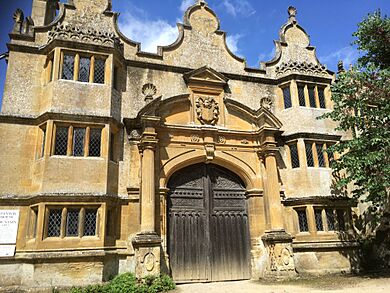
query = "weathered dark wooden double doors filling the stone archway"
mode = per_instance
[{"x": 208, "y": 238}]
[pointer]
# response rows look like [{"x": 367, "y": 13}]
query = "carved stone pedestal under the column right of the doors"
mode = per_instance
[{"x": 280, "y": 255}]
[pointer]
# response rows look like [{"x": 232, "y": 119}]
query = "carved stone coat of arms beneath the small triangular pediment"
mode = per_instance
[{"x": 207, "y": 110}]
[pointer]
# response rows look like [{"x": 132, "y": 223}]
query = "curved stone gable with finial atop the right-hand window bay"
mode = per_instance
[{"x": 294, "y": 53}]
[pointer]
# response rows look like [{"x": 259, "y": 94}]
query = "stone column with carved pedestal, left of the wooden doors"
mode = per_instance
[{"x": 147, "y": 243}]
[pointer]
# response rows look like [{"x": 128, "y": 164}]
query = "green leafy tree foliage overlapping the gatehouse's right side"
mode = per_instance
[{"x": 361, "y": 99}]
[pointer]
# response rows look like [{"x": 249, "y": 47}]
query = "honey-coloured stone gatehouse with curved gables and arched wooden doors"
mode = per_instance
[{"x": 186, "y": 162}]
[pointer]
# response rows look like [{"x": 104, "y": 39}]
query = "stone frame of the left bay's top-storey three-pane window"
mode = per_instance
[{"x": 92, "y": 57}]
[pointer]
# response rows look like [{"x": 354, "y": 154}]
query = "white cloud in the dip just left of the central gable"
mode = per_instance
[{"x": 151, "y": 33}]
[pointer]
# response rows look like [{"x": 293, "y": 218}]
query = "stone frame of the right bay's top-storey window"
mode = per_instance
[{"x": 319, "y": 103}]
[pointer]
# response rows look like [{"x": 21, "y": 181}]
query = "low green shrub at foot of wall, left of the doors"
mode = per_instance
[{"x": 128, "y": 283}]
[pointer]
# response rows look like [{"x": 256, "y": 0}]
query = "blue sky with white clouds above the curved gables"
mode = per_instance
[{"x": 252, "y": 25}]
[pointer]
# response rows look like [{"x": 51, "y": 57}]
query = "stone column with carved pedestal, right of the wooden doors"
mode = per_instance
[{"x": 277, "y": 241}]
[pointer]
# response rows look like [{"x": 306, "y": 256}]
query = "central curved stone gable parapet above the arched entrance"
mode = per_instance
[{"x": 200, "y": 42}]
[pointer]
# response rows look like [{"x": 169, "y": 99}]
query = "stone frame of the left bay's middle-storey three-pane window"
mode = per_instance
[{"x": 70, "y": 141}]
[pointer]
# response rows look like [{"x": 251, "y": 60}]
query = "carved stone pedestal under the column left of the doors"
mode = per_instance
[{"x": 147, "y": 248}]
